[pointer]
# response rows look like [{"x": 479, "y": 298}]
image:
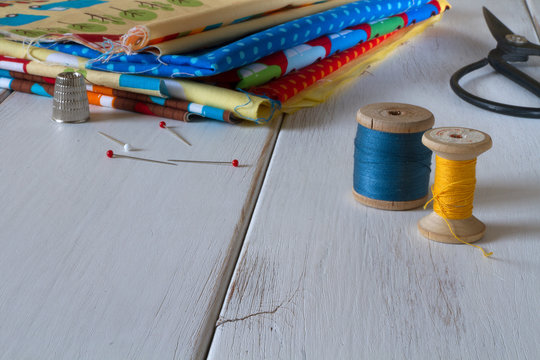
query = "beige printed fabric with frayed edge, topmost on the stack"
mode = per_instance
[{"x": 130, "y": 25}]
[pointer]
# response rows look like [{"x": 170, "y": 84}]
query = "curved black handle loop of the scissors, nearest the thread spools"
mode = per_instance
[{"x": 506, "y": 109}]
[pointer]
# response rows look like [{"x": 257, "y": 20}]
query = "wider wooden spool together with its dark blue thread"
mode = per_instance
[{"x": 385, "y": 122}]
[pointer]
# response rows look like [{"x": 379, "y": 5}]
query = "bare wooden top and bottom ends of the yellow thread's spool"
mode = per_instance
[{"x": 456, "y": 144}]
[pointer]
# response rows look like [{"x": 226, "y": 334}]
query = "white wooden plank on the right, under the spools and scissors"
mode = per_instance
[{"x": 321, "y": 276}]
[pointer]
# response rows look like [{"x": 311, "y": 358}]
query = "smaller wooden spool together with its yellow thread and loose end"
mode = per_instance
[{"x": 452, "y": 220}]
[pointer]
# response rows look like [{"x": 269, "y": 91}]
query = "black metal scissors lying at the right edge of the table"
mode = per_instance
[{"x": 510, "y": 48}]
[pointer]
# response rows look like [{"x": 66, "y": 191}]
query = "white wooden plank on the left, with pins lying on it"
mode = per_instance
[{"x": 113, "y": 258}]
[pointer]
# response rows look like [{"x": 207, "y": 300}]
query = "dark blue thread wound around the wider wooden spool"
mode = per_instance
[{"x": 390, "y": 167}]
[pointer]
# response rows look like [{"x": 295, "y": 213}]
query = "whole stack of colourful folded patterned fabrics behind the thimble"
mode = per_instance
[{"x": 190, "y": 59}]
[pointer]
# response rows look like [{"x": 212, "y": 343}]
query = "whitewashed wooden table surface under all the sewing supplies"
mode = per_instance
[{"x": 115, "y": 259}]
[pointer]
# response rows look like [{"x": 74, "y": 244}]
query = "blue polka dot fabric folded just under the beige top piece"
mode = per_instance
[{"x": 248, "y": 49}]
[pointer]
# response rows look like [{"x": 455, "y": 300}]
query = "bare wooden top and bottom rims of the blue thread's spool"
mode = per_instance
[{"x": 398, "y": 119}]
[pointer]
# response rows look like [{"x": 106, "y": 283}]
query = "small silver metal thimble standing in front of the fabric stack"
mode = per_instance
[{"x": 70, "y": 102}]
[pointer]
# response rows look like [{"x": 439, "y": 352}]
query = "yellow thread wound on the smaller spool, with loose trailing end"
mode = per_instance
[{"x": 453, "y": 192}]
